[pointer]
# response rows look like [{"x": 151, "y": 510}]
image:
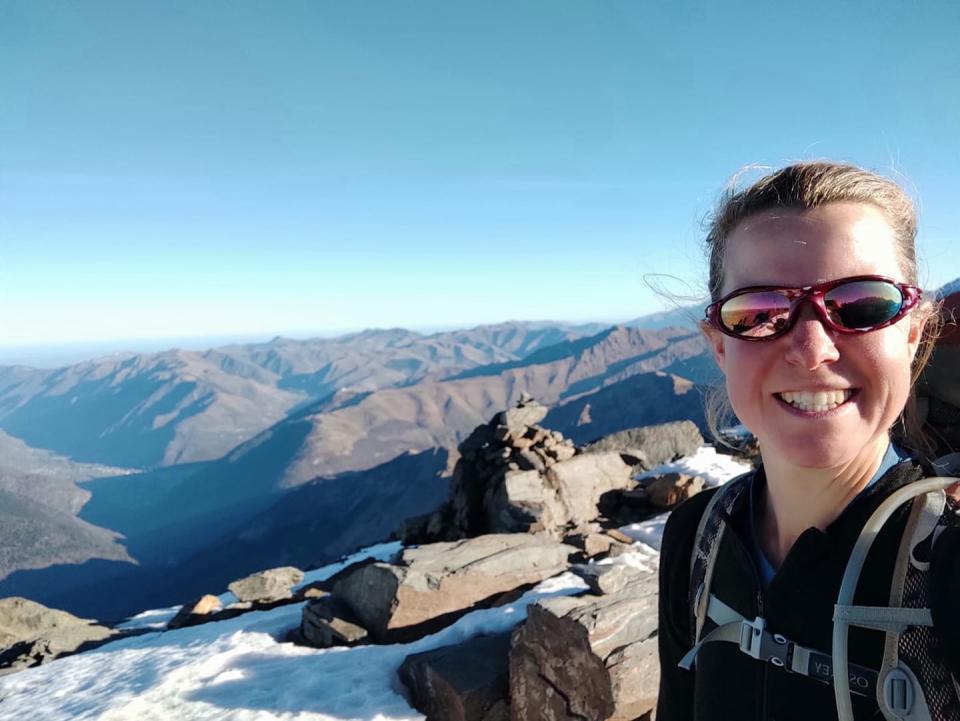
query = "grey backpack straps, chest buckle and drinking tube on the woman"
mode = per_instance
[{"x": 911, "y": 685}]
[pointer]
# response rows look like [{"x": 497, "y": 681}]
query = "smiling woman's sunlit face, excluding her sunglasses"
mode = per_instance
[{"x": 795, "y": 249}]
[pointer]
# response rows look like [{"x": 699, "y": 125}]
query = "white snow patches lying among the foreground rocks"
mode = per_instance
[{"x": 241, "y": 670}]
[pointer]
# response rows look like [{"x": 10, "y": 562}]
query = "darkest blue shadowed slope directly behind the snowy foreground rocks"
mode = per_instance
[{"x": 316, "y": 522}]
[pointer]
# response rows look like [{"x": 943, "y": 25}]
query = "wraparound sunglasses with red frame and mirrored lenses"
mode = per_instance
[{"x": 847, "y": 305}]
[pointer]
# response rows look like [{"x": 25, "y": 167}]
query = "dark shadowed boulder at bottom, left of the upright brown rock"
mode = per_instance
[{"x": 464, "y": 682}]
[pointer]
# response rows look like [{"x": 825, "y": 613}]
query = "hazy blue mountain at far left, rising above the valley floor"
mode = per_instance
[{"x": 145, "y": 410}]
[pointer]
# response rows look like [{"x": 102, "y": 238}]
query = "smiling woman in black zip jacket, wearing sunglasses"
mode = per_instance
[{"x": 820, "y": 331}]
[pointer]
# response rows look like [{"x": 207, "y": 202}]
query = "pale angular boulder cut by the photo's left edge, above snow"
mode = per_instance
[{"x": 31, "y": 634}]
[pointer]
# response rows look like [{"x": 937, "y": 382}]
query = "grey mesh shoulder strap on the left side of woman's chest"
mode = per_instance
[{"x": 706, "y": 544}]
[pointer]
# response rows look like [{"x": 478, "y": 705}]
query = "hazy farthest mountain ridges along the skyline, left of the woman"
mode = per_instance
[{"x": 149, "y": 410}]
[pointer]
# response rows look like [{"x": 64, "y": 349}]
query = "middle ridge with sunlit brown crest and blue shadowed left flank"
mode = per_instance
[{"x": 171, "y": 514}]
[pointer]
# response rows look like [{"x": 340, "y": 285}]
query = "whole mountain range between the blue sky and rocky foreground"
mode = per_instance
[{"x": 297, "y": 439}]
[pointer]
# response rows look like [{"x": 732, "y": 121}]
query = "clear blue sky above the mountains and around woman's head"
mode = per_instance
[{"x": 180, "y": 168}]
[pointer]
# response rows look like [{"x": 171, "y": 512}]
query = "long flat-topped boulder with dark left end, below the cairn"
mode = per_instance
[{"x": 435, "y": 584}]
